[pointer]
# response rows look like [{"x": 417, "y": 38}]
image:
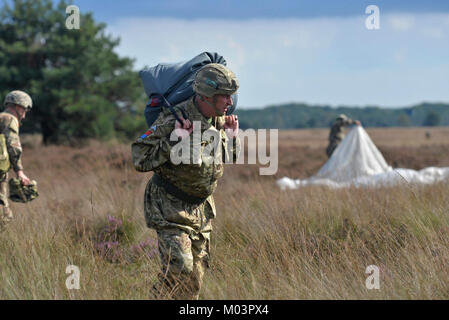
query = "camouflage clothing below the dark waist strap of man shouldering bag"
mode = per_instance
[{"x": 184, "y": 239}]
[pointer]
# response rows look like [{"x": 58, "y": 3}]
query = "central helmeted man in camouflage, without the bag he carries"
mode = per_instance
[{"x": 179, "y": 203}]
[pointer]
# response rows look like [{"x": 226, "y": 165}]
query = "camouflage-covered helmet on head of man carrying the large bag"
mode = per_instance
[{"x": 215, "y": 79}]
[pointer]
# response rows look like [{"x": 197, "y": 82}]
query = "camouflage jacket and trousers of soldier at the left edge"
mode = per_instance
[{"x": 9, "y": 126}]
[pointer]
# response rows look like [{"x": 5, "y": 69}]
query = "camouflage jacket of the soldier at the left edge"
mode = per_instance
[{"x": 9, "y": 126}]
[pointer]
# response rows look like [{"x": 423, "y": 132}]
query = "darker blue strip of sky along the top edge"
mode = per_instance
[{"x": 243, "y": 9}]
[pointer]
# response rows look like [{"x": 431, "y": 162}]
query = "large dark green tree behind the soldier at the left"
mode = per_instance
[{"x": 80, "y": 87}]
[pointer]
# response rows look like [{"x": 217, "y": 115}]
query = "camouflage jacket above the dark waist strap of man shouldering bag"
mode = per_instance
[{"x": 153, "y": 151}]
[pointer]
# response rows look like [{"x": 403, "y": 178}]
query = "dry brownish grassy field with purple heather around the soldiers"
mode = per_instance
[{"x": 311, "y": 243}]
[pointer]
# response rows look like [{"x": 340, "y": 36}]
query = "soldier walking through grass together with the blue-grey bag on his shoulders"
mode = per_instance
[{"x": 178, "y": 200}]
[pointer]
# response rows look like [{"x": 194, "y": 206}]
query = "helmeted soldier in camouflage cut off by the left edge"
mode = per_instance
[{"x": 17, "y": 104}]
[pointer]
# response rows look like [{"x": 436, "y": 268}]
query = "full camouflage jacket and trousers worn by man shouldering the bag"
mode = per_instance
[{"x": 183, "y": 228}]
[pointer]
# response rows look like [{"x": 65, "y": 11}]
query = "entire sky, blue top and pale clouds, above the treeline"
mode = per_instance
[{"x": 316, "y": 52}]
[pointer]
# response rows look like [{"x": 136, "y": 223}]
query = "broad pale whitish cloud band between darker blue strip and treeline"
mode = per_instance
[{"x": 320, "y": 60}]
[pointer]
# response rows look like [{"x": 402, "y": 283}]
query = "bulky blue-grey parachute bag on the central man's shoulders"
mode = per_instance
[{"x": 166, "y": 84}]
